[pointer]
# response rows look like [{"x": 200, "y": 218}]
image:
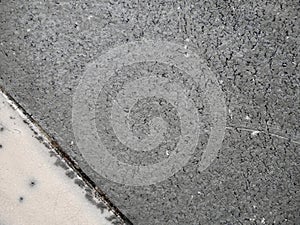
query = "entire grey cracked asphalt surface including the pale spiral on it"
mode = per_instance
[{"x": 217, "y": 80}]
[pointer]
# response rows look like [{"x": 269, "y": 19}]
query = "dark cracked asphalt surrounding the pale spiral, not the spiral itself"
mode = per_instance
[{"x": 251, "y": 46}]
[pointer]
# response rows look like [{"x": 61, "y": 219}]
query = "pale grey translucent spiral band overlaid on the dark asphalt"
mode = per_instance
[{"x": 86, "y": 129}]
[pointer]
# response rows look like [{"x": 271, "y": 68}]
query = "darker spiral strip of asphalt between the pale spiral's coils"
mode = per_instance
[{"x": 141, "y": 113}]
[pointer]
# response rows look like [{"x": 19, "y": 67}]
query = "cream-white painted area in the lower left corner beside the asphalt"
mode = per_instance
[{"x": 33, "y": 190}]
